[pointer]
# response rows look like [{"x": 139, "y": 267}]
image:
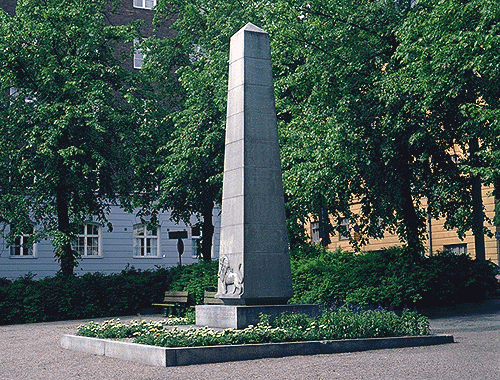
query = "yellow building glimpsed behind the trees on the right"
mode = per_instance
[{"x": 437, "y": 238}]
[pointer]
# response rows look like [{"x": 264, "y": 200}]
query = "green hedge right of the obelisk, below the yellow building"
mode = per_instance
[{"x": 392, "y": 278}]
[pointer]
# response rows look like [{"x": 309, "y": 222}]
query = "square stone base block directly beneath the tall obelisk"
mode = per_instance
[{"x": 241, "y": 316}]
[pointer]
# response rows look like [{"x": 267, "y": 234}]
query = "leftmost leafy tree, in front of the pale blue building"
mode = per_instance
[{"x": 65, "y": 120}]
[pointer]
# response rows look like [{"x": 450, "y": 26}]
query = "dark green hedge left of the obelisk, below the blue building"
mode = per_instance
[{"x": 96, "y": 295}]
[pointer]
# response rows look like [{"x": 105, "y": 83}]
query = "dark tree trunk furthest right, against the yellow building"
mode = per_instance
[{"x": 477, "y": 204}]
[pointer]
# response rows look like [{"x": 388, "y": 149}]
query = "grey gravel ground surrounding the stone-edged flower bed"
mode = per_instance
[{"x": 32, "y": 351}]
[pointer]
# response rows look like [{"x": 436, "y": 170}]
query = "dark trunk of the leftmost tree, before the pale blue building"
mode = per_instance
[{"x": 62, "y": 244}]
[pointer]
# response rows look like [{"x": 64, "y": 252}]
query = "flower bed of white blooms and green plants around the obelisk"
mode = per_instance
[{"x": 339, "y": 323}]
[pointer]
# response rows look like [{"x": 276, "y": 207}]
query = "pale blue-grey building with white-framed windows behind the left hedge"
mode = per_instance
[{"x": 129, "y": 244}]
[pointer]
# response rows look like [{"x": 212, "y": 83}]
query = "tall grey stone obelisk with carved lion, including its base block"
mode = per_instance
[{"x": 254, "y": 265}]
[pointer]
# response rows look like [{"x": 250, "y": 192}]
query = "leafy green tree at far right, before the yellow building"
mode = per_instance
[{"x": 449, "y": 61}]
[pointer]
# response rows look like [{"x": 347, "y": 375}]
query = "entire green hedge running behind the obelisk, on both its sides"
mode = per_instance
[{"x": 391, "y": 278}]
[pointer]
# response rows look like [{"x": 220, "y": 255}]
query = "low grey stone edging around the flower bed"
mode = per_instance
[{"x": 177, "y": 356}]
